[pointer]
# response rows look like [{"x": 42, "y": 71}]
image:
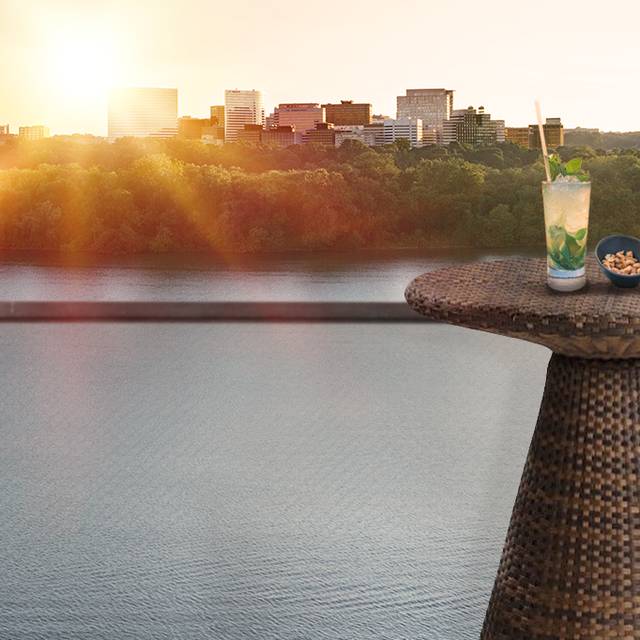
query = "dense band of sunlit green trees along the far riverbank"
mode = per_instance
[{"x": 144, "y": 196}]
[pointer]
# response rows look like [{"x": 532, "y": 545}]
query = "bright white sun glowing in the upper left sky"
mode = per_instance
[{"x": 82, "y": 64}]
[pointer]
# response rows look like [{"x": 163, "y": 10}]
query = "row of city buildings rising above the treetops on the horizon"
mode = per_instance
[{"x": 153, "y": 112}]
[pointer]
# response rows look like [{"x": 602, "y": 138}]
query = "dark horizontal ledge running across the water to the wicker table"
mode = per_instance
[{"x": 58, "y": 311}]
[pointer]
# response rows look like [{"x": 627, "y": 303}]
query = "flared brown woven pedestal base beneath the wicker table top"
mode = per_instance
[{"x": 570, "y": 567}]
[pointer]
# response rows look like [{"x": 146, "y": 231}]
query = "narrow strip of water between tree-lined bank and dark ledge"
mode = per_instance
[{"x": 379, "y": 276}]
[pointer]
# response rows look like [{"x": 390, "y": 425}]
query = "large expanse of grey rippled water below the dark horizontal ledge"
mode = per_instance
[{"x": 256, "y": 481}]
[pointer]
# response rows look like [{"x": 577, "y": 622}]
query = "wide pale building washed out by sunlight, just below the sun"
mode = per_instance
[{"x": 143, "y": 112}]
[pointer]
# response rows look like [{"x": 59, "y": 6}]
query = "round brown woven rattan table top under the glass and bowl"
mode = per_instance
[{"x": 510, "y": 297}]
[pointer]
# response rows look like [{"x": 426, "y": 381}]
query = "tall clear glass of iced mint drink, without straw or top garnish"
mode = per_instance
[{"x": 566, "y": 219}]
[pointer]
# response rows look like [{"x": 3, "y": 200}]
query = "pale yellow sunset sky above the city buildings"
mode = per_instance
[{"x": 58, "y": 58}]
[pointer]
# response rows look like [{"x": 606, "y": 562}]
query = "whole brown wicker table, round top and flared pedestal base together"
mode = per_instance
[{"x": 570, "y": 566}]
